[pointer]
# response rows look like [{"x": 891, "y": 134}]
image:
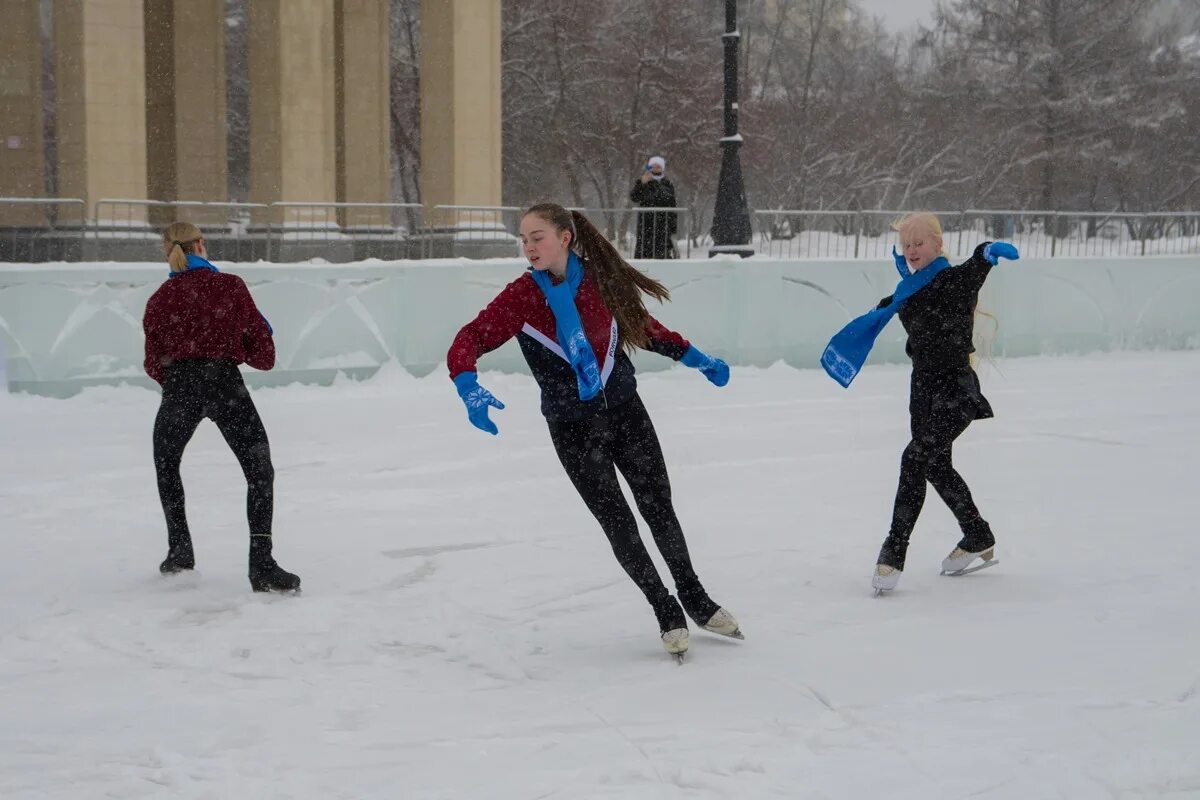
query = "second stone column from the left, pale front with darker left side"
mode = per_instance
[{"x": 100, "y": 77}]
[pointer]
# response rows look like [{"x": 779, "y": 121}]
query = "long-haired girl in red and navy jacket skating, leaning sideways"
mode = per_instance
[{"x": 575, "y": 314}]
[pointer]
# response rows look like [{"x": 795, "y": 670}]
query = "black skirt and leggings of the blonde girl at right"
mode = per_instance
[{"x": 941, "y": 408}]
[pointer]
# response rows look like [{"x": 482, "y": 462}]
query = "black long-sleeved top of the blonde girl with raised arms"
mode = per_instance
[{"x": 940, "y": 322}]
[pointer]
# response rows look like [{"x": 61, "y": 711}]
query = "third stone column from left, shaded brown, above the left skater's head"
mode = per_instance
[{"x": 187, "y": 134}]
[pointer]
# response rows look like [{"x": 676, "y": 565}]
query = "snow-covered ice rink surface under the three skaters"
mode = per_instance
[{"x": 465, "y": 631}]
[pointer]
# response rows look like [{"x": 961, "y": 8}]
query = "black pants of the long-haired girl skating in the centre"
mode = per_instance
[{"x": 623, "y": 438}]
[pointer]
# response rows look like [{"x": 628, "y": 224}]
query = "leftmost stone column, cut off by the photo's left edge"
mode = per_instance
[{"x": 22, "y": 161}]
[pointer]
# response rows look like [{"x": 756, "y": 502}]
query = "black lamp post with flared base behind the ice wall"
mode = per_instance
[{"x": 731, "y": 216}]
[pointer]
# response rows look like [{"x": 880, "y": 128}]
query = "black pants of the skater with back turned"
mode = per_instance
[{"x": 194, "y": 390}]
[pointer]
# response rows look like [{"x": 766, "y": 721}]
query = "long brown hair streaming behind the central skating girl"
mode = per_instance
[{"x": 622, "y": 286}]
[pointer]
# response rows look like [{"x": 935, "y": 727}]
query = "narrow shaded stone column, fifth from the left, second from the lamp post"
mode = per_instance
[{"x": 364, "y": 119}]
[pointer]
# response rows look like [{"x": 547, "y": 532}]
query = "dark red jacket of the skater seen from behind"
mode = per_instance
[{"x": 206, "y": 315}]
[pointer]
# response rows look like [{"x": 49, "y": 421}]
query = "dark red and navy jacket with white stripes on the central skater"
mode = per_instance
[{"x": 521, "y": 310}]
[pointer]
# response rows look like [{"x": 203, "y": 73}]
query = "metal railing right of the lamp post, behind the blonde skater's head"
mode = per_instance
[{"x": 1041, "y": 234}]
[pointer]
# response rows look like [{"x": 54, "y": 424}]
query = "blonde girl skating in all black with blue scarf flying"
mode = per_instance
[{"x": 937, "y": 304}]
